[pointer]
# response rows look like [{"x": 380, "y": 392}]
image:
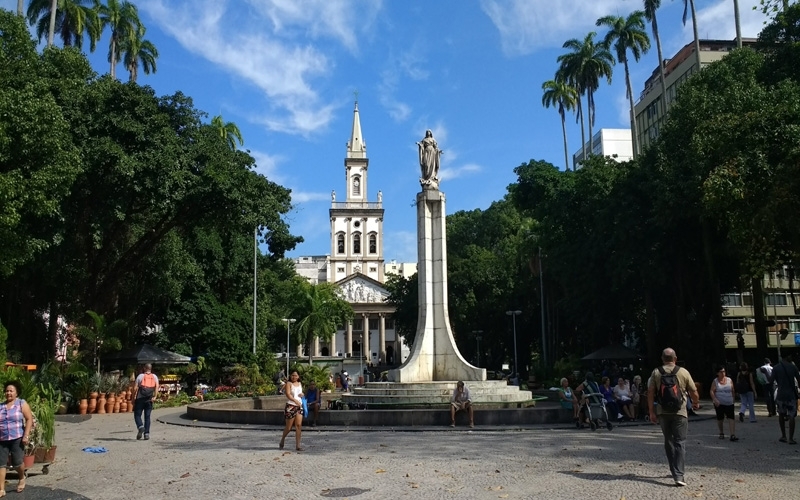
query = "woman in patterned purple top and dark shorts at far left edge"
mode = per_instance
[{"x": 16, "y": 422}]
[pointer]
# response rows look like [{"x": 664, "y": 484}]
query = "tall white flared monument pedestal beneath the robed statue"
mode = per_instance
[{"x": 434, "y": 355}]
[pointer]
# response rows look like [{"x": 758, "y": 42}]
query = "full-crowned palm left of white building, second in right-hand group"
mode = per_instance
[{"x": 583, "y": 68}]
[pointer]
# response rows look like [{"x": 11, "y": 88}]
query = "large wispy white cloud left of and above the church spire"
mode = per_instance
[{"x": 284, "y": 69}]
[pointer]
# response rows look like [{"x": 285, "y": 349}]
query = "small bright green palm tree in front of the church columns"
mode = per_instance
[{"x": 320, "y": 310}]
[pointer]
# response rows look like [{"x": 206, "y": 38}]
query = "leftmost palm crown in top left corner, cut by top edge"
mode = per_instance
[{"x": 72, "y": 19}]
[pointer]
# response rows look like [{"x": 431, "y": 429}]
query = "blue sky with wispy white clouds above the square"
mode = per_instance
[{"x": 285, "y": 71}]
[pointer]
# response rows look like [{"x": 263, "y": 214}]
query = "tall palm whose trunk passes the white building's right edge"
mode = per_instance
[{"x": 627, "y": 34}]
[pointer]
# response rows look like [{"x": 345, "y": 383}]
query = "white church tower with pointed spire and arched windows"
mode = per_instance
[{"x": 356, "y": 222}]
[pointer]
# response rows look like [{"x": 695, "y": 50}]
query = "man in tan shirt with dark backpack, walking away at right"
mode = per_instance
[{"x": 667, "y": 386}]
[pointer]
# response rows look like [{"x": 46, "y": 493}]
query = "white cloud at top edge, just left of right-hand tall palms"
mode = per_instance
[{"x": 526, "y": 25}]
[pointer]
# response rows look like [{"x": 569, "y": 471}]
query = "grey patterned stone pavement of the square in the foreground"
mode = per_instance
[{"x": 431, "y": 463}]
